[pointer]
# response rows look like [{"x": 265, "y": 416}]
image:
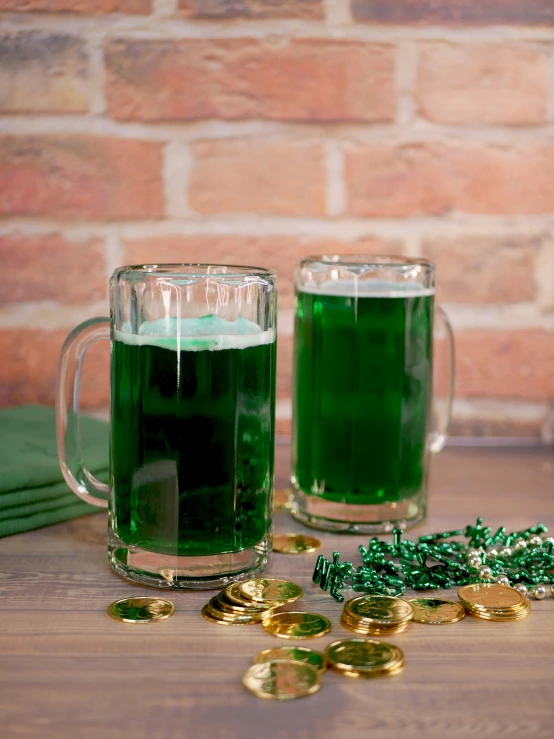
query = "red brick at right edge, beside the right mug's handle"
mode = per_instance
[{"x": 505, "y": 364}]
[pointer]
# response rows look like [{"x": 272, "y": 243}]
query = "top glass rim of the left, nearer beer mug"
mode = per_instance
[{"x": 195, "y": 270}]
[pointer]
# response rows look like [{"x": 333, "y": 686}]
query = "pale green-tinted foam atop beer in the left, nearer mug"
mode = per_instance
[{"x": 209, "y": 333}]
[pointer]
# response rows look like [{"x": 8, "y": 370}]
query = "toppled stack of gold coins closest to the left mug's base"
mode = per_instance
[{"x": 246, "y": 603}]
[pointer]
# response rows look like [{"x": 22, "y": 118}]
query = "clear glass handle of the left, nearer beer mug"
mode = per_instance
[{"x": 68, "y": 427}]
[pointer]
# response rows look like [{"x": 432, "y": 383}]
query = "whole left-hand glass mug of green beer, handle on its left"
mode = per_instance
[{"x": 192, "y": 422}]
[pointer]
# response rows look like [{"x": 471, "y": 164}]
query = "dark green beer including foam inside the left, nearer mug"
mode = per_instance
[{"x": 192, "y": 416}]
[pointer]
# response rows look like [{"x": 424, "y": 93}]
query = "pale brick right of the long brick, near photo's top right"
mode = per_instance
[{"x": 482, "y": 83}]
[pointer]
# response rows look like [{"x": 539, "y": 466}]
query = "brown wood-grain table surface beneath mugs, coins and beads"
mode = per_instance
[{"x": 68, "y": 670}]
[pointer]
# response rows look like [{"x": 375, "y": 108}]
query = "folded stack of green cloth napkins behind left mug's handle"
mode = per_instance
[{"x": 33, "y": 492}]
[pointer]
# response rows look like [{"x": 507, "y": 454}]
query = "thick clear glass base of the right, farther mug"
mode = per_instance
[{"x": 314, "y": 511}]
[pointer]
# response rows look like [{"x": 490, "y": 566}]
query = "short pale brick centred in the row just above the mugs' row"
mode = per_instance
[{"x": 286, "y": 178}]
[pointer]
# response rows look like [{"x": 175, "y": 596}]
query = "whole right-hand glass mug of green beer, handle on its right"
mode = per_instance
[{"x": 363, "y": 383}]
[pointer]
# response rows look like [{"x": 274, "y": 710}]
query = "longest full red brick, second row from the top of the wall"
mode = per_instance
[{"x": 301, "y": 79}]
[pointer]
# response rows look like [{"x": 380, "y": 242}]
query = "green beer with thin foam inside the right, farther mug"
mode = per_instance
[{"x": 362, "y": 397}]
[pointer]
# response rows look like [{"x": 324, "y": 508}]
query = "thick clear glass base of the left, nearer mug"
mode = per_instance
[{"x": 173, "y": 572}]
